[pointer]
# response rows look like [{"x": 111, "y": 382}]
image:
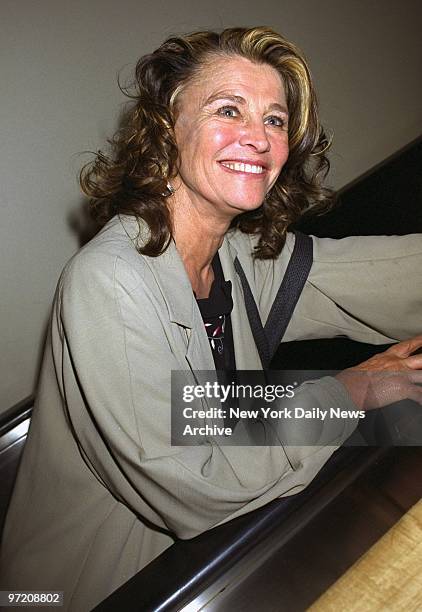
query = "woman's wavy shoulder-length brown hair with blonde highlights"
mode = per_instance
[{"x": 133, "y": 178}]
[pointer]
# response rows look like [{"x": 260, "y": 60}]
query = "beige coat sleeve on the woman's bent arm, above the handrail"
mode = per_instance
[{"x": 113, "y": 358}]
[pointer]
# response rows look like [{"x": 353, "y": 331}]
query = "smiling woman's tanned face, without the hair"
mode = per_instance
[{"x": 231, "y": 132}]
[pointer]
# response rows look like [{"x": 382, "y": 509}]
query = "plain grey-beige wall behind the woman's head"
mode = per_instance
[{"x": 58, "y": 66}]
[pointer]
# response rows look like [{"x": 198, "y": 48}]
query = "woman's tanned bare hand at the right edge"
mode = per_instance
[{"x": 387, "y": 377}]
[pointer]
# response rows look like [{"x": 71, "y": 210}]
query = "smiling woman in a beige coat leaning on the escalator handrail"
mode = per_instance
[{"x": 220, "y": 152}]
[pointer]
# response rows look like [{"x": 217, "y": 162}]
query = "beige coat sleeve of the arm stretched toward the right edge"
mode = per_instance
[{"x": 367, "y": 288}]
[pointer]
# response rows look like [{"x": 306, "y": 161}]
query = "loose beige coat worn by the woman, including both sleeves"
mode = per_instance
[{"x": 101, "y": 491}]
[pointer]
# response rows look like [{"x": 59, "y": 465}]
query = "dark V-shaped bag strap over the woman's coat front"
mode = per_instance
[{"x": 268, "y": 338}]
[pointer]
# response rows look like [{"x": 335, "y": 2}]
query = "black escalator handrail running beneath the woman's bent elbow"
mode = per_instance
[{"x": 188, "y": 567}]
